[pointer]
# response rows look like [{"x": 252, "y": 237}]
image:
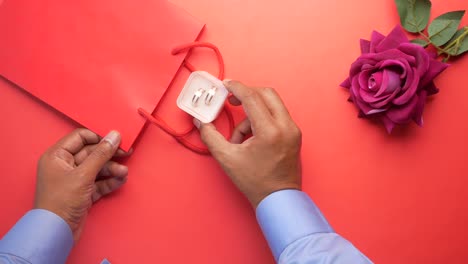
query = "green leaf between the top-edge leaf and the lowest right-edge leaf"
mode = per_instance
[{"x": 442, "y": 29}]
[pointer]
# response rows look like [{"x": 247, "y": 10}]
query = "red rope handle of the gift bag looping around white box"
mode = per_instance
[{"x": 181, "y": 136}]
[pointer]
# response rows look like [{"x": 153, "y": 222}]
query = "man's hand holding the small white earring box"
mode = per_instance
[{"x": 269, "y": 160}]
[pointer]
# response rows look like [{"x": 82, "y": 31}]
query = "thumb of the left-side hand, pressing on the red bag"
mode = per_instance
[{"x": 103, "y": 152}]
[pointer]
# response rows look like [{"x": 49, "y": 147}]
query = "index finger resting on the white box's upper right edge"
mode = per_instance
[{"x": 253, "y": 104}]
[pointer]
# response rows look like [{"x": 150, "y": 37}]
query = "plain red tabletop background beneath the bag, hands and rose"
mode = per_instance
[{"x": 399, "y": 198}]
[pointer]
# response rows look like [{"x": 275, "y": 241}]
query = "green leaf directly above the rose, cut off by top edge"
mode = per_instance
[{"x": 414, "y": 14}]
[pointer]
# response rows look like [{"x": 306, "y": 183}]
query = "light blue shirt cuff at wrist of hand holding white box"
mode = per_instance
[{"x": 288, "y": 215}]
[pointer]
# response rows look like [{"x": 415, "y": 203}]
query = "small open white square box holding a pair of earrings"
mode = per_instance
[{"x": 202, "y": 111}]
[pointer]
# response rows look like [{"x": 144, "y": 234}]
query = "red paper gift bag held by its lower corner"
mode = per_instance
[{"x": 96, "y": 61}]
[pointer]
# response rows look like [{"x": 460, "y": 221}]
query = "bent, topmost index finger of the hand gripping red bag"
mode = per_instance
[{"x": 76, "y": 140}]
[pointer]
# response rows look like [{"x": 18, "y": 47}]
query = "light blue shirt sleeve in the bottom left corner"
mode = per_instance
[{"x": 39, "y": 237}]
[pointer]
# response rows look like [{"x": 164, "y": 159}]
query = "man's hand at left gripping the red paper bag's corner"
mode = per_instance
[{"x": 76, "y": 172}]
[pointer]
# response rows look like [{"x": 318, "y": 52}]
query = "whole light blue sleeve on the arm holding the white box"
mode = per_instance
[{"x": 297, "y": 232}]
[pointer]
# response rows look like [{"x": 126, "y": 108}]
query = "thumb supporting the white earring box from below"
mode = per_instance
[{"x": 214, "y": 140}]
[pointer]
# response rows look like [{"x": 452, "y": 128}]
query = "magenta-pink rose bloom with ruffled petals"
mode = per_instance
[{"x": 392, "y": 78}]
